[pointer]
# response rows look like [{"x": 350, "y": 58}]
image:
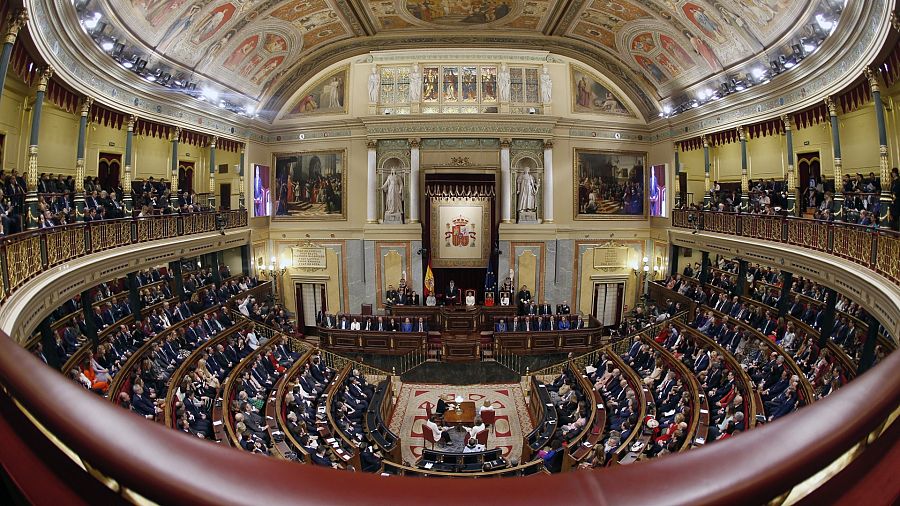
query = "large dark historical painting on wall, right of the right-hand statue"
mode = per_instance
[{"x": 610, "y": 183}]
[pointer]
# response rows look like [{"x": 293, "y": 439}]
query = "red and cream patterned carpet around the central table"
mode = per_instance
[{"x": 507, "y": 399}]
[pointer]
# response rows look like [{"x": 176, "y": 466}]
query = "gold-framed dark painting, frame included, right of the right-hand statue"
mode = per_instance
[{"x": 608, "y": 165}]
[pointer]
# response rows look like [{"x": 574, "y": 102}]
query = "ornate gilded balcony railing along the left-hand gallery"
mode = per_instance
[{"x": 27, "y": 254}]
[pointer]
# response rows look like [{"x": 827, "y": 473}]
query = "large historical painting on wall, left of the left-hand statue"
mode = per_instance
[{"x": 310, "y": 186}]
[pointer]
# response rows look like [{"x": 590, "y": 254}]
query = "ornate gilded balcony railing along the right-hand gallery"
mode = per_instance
[{"x": 874, "y": 248}]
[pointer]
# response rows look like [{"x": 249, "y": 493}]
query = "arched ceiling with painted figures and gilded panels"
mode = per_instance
[{"x": 262, "y": 50}]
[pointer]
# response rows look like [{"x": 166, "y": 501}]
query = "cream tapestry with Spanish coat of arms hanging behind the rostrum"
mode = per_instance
[{"x": 460, "y": 232}]
